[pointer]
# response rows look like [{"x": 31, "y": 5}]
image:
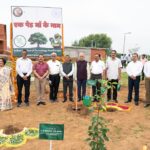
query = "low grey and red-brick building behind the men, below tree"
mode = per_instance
[{"x": 89, "y": 52}]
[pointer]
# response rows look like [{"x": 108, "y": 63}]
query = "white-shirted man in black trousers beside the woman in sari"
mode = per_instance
[{"x": 24, "y": 70}]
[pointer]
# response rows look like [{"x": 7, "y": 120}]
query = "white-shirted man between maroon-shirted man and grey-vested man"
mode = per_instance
[{"x": 54, "y": 76}]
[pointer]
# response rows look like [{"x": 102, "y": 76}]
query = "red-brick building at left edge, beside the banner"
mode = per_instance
[{"x": 3, "y": 38}]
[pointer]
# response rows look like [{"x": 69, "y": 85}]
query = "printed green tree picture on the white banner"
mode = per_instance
[{"x": 37, "y": 38}]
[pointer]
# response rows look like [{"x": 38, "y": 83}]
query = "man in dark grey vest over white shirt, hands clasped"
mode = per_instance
[{"x": 67, "y": 70}]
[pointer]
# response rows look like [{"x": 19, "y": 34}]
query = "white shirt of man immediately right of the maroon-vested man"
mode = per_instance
[{"x": 97, "y": 67}]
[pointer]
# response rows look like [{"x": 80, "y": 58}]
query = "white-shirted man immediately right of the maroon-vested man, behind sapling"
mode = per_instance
[{"x": 97, "y": 69}]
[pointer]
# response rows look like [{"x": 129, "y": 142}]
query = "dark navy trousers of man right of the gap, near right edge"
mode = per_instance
[{"x": 133, "y": 84}]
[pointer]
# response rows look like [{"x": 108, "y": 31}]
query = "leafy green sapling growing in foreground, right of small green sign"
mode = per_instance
[{"x": 97, "y": 131}]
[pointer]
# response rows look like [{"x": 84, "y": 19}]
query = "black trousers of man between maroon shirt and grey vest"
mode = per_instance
[{"x": 54, "y": 85}]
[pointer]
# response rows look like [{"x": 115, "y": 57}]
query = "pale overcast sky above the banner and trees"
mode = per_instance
[{"x": 83, "y": 17}]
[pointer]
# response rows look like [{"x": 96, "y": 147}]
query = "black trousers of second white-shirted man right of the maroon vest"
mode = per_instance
[{"x": 114, "y": 87}]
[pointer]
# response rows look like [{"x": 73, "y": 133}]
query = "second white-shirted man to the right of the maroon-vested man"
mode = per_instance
[{"x": 113, "y": 74}]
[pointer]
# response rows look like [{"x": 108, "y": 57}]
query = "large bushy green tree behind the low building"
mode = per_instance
[{"x": 94, "y": 40}]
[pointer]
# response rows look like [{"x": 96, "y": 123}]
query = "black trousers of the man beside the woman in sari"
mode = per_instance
[{"x": 26, "y": 83}]
